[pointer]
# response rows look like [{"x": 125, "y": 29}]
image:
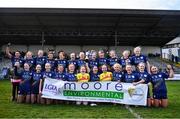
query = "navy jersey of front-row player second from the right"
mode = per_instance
[{"x": 145, "y": 76}]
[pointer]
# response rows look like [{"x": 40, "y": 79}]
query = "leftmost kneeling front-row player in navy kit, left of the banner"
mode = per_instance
[{"x": 25, "y": 85}]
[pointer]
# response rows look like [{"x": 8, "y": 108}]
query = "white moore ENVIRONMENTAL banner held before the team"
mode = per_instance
[{"x": 113, "y": 92}]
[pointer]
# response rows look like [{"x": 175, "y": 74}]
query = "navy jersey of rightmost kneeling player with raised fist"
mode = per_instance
[{"x": 158, "y": 81}]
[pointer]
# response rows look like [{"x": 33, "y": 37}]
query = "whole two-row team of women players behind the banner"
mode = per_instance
[{"x": 30, "y": 71}]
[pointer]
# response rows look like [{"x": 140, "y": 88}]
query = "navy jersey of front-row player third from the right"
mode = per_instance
[{"x": 130, "y": 78}]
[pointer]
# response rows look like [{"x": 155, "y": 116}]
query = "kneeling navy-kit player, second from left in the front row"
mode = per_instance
[{"x": 37, "y": 76}]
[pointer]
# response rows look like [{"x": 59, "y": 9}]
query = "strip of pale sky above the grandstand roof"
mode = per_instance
[{"x": 111, "y": 4}]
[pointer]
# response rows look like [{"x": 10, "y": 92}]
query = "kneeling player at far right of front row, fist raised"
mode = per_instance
[{"x": 159, "y": 86}]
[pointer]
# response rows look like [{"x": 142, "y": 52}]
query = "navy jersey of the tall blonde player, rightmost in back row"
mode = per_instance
[{"x": 137, "y": 59}]
